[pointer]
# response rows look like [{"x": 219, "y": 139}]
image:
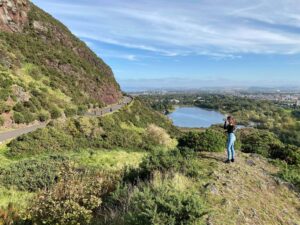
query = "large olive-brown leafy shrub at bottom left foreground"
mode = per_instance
[{"x": 71, "y": 201}]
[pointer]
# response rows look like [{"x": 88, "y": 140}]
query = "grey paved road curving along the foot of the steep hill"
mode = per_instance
[{"x": 95, "y": 113}]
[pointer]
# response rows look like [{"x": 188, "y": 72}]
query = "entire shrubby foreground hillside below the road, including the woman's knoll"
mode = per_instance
[{"x": 126, "y": 168}]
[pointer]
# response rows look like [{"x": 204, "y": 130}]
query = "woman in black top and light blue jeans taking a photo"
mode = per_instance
[{"x": 230, "y": 126}]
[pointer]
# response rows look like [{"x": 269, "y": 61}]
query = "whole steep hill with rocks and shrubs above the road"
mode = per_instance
[{"x": 45, "y": 71}]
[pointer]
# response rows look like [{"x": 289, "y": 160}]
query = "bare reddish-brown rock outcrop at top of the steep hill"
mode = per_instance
[{"x": 13, "y": 15}]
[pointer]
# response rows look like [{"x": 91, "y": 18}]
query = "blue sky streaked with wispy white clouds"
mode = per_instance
[{"x": 197, "y": 42}]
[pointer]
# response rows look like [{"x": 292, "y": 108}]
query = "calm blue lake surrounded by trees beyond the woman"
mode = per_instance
[{"x": 194, "y": 117}]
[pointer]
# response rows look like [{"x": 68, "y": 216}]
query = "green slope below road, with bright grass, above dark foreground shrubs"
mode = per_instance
[{"x": 85, "y": 145}]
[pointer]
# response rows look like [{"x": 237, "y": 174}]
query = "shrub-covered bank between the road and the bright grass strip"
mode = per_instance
[{"x": 132, "y": 127}]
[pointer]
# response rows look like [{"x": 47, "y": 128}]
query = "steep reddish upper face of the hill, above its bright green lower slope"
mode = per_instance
[{"x": 30, "y": 35}]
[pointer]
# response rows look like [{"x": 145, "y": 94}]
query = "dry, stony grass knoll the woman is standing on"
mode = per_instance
[{"x": 247, "y": 193}]
